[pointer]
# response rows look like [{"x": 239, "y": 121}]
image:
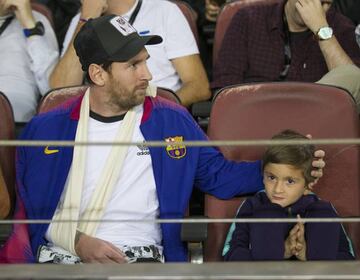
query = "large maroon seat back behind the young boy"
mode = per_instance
[{"x": 261, "y": 110}]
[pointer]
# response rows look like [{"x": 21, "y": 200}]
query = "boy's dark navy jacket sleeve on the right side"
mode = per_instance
[{"x": 325, "y": 241}]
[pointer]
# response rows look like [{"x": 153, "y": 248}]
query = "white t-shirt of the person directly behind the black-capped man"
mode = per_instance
[{"x": 159, "y": 17}]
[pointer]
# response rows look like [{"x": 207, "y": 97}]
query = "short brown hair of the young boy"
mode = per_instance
[{"x": 299, "y": 156}]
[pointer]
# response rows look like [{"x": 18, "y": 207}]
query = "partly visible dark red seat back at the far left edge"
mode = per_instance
[{"x": 7, "y": 153}]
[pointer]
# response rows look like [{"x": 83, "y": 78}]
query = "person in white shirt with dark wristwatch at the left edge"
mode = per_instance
[{"x": 28, "y": 53}]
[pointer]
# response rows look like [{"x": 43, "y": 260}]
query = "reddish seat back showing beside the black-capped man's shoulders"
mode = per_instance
[{"x": 56, "y": 97}]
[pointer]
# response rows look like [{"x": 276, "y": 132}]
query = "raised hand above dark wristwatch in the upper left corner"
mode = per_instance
[{"x": 22, "y": 10}]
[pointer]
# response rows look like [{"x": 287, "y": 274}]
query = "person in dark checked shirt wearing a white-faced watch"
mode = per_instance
[{"x": 279, "y": 40}]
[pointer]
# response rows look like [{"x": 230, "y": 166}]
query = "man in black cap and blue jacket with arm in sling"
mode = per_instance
[{"x": 127, "y": 183}]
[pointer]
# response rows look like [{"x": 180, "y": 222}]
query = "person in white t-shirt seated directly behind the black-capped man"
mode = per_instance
[{"x": 175, "y": 63}]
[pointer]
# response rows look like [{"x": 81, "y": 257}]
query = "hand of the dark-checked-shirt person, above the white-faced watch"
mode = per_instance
[{"x": 313, "y": 13}]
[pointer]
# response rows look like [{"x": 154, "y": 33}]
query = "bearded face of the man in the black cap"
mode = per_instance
[{"x": 127, "y": 82}]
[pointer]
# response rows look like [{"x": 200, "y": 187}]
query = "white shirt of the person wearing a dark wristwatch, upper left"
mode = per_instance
[{"x": 26, "y": 64}]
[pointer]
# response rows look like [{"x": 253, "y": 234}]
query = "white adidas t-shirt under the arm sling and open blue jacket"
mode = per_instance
[{"x": 134, "y": 197}]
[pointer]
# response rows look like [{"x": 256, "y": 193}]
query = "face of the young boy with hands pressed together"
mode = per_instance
[{"x": 284, "y": 184}]
